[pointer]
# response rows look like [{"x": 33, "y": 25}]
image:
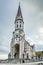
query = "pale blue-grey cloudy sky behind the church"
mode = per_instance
[{"x": 32, "y": 11}]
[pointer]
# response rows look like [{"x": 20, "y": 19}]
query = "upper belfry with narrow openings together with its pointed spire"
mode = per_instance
[{"x": 19, "y": 24}]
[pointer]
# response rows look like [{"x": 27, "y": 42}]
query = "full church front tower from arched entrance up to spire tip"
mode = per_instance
[{"x": 17, "y": 43}]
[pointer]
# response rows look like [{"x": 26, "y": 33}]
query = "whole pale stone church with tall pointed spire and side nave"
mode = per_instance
[{"x": 19, "y": 47}]
